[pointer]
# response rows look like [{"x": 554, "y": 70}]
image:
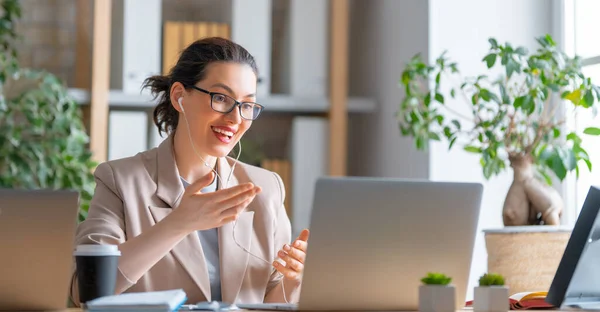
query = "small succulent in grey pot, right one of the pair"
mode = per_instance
[{"x": 491, "y": 295}]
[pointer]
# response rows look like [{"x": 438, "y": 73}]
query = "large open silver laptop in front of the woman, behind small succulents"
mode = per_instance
[{"x": 373, "y": 239}]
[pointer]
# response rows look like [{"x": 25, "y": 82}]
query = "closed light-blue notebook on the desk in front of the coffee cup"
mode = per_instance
[{"x": 154, "y": 301}]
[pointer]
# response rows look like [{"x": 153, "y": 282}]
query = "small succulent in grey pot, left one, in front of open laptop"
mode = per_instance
[{"x": 437, "y": 294}]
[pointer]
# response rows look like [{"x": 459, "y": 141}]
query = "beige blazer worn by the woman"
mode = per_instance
[{"x": 133, "y": 194}]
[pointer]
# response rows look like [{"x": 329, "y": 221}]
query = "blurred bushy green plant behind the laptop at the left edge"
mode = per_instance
[{"x": 43, "y": 142}]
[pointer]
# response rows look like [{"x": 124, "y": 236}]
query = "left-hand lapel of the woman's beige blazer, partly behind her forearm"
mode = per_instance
[{"x": 189, "y": 251}]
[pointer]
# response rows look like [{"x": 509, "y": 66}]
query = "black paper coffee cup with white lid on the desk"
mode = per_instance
[{"x": 97, "y": 267}]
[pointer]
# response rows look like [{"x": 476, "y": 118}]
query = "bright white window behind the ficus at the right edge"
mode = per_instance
[{"x": 580, "y": 24}]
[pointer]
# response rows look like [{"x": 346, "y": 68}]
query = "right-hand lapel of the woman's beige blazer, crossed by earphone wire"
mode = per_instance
[{"x": 234, "y": 258}]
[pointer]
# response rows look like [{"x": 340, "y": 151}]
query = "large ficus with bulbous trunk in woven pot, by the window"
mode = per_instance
[{"x": 511, "y": 119}]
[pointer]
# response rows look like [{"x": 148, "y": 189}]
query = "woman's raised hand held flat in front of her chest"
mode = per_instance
[{"x": 202, "y": 211}]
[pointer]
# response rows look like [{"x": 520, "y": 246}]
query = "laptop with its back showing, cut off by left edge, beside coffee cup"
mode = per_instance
[{"x": 37, "y": 229}]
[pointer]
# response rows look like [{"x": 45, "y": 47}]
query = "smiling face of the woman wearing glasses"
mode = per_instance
[{"x": 216, "y": 133}]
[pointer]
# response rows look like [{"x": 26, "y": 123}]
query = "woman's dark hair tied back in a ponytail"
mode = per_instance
[{"x": 191, "y": 68}]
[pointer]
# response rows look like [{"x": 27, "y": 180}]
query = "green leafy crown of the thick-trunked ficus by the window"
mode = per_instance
[{"x": 510, "y": 117}]
